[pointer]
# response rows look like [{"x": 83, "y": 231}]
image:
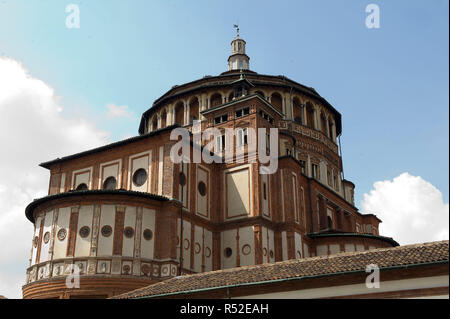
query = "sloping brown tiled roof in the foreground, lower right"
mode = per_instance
[{"x": 397, "y": 257}]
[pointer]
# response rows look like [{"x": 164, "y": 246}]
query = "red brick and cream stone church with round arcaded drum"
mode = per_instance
[{"x": 126, "y": 214}]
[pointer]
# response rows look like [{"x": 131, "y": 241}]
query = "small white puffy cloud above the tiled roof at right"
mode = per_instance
[{"x": 412, "y": 209}]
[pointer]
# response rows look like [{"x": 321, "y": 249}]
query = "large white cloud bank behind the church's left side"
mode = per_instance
[{"x": 32, "y": 130}]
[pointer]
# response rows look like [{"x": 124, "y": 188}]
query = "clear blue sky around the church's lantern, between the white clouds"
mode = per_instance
[{"x": 390, "y": 84}]
